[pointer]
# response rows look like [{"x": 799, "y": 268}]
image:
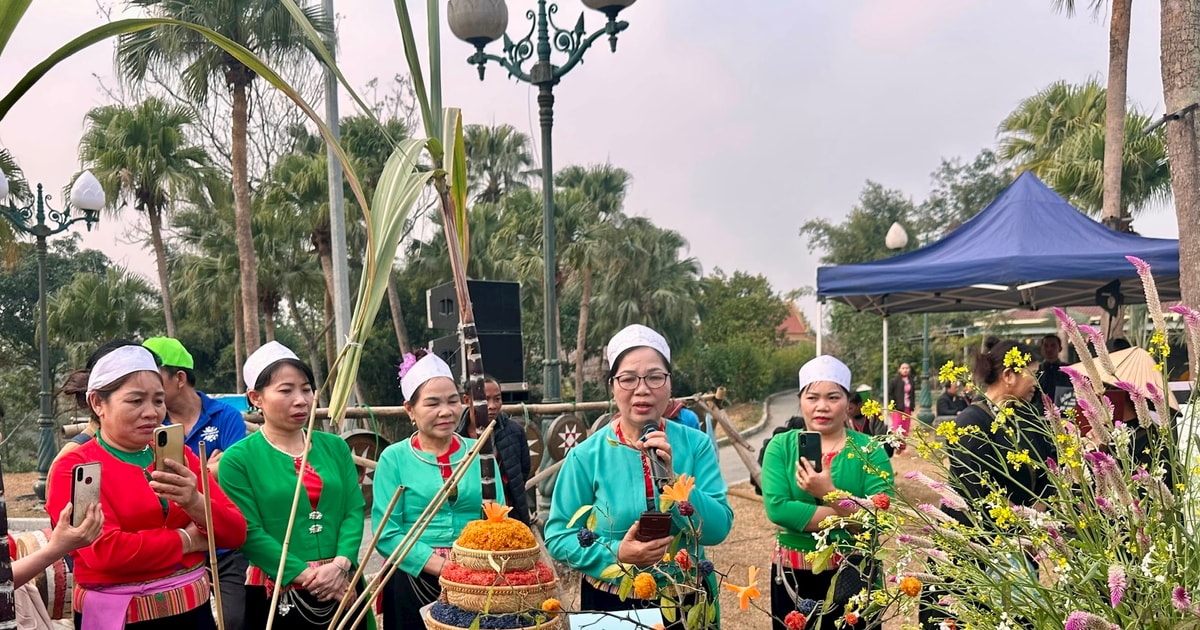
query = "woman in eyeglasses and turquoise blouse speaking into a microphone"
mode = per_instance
[{"x": 615, "y": 472}]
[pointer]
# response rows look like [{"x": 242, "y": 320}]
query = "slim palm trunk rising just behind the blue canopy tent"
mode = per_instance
[{"x": 1114, "y": 212}]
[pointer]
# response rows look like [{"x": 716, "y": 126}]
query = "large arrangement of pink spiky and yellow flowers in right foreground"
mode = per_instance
[{"x": 1108, "y": 542}]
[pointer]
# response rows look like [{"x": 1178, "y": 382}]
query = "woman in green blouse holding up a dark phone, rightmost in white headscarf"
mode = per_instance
[{"x": 802, "y": 467}]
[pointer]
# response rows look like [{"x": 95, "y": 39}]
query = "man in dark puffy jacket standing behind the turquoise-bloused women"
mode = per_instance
[{"x": 512, "y": 449}]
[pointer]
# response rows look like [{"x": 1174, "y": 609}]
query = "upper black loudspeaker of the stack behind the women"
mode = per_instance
[{"x": 496, "y": 304}]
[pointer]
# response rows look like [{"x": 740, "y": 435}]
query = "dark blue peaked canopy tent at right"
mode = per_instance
[{"x": 1029, "y": 249}]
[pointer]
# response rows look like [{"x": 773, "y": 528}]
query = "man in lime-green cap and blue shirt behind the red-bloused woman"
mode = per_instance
[{"x": 219, "y": 427}]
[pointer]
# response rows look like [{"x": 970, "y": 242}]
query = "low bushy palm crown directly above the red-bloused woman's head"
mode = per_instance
[{"x": 101, "y": 307}]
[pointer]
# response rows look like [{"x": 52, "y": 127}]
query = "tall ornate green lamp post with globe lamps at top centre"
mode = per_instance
[{"x": 482, "y": 22}]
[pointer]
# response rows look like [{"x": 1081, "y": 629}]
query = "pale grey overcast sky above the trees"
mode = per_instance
[{"x": 740, "y": 121}]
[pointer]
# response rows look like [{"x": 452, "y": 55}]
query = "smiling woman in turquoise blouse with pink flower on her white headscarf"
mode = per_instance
[{"x": 422, "y": 465}]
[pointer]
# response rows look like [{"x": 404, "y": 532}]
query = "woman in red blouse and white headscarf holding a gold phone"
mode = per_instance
[{"x": 147, "y": 571}]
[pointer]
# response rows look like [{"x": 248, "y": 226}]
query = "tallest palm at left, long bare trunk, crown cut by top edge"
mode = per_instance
[{"x": 265, "y": 28}]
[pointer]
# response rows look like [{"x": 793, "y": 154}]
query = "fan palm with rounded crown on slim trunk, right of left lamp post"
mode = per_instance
[{"x": 142, "y": 154}]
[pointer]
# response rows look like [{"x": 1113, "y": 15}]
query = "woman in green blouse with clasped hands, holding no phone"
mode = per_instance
[{"x": 260, "y": 475}]
